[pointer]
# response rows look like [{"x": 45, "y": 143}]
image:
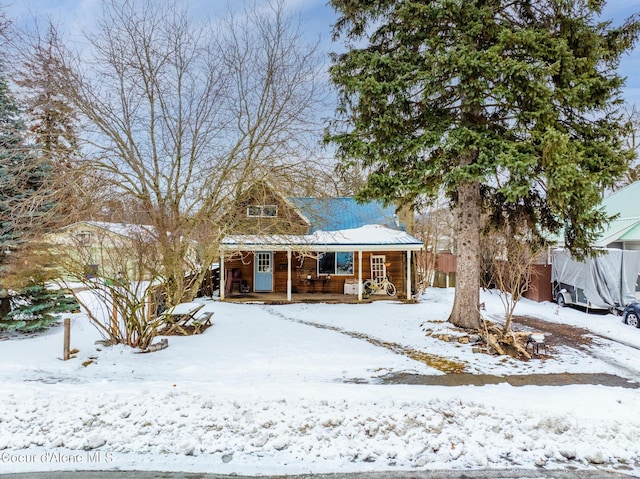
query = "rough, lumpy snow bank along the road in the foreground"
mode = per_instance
[{"x": 167, "y": 428}]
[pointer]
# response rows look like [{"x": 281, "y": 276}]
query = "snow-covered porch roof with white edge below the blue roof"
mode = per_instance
[{"x": 365, "y": 238}]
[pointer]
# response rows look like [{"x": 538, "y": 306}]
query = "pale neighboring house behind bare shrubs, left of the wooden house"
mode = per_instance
[{"x": 107, "y": 250}]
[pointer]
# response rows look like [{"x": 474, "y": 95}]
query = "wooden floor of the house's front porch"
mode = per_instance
[{"x": 280, "y": 298}]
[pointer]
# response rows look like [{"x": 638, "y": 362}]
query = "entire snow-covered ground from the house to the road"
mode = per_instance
[{"x": 296, "y": 388}]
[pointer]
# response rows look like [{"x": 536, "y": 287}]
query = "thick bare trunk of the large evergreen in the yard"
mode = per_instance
[{"x": 465, "y": 312}]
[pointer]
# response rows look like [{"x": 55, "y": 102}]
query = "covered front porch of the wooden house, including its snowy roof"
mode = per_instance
[{"x": 318, "y": 265}]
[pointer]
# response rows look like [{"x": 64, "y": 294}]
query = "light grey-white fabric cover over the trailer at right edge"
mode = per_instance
[{"x": 608, "y": 280}]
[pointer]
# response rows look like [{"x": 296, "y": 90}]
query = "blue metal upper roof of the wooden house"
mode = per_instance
[{"x": 332, "y": 214}]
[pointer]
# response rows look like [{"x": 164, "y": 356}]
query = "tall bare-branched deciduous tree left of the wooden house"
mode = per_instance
[{"x": 183, "y": 114}]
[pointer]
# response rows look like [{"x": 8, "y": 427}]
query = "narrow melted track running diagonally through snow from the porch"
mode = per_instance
[{"x": 440, "y": 363}]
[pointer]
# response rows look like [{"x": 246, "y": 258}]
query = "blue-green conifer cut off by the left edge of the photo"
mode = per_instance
[{"x": 25, "y": 211}]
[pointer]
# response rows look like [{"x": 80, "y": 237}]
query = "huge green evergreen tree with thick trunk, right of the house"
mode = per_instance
[{"x": 503, "y": 104}]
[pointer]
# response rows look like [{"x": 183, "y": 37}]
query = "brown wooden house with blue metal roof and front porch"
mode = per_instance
[{"x": 314, "y": 245}]
